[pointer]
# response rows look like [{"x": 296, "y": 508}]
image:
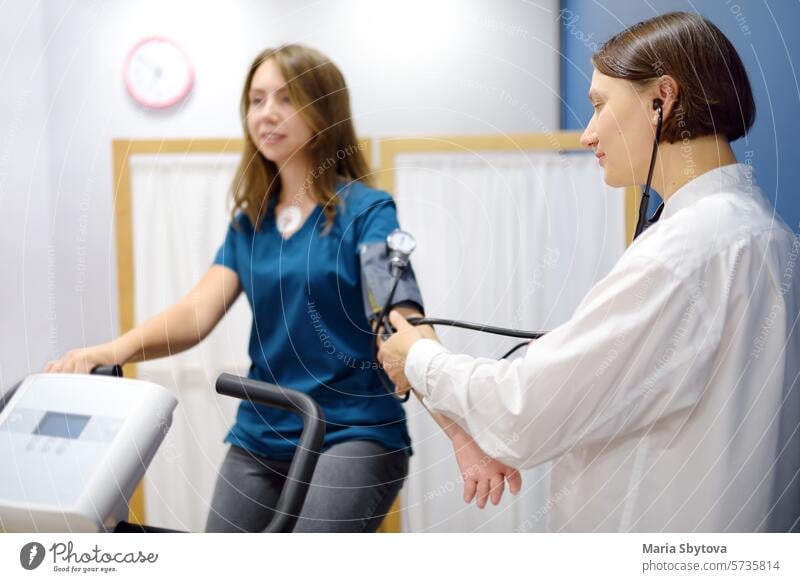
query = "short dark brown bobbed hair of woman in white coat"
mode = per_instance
[{"x": 714, "y": 94}]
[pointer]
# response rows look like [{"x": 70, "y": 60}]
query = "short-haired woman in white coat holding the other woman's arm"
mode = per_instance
[{"x": 669, "y": 401}]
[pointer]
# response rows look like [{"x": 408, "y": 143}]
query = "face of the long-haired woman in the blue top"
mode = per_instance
[{"x": 274, "y": 125}]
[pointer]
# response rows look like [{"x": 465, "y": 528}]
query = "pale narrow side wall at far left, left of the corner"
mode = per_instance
[{"x": 27, "y": 282}]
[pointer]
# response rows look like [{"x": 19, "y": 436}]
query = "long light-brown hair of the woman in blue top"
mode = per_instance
[{"x": 318, "y": 91}]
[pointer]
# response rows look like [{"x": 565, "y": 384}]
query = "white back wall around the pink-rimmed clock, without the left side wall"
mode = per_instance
[{"x": 414, "y": 68}]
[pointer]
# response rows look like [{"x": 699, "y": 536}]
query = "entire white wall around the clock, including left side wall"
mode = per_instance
[{"x": 416, "y": 67}]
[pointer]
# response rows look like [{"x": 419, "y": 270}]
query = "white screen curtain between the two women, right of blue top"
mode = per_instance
[{"x": 510, "y": 239}]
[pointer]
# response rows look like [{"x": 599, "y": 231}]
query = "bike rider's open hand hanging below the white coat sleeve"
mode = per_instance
[{"x": 483, "y": 476}]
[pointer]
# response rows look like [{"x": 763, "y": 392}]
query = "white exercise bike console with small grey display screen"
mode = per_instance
[{"x": 73, "y": 448}]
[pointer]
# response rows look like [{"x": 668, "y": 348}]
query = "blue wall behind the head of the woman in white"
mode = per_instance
[{"x": 766, "y": 36}]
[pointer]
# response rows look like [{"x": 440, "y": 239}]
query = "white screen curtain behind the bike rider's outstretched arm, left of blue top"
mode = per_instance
[{"x": 179, "y": 220}]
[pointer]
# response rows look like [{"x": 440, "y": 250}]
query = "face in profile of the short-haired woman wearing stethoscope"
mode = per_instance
[{"x": 621, "y": 131}]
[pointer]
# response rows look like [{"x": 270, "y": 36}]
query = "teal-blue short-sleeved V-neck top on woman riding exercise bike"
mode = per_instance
[{"x": 309, "y": 329}]
